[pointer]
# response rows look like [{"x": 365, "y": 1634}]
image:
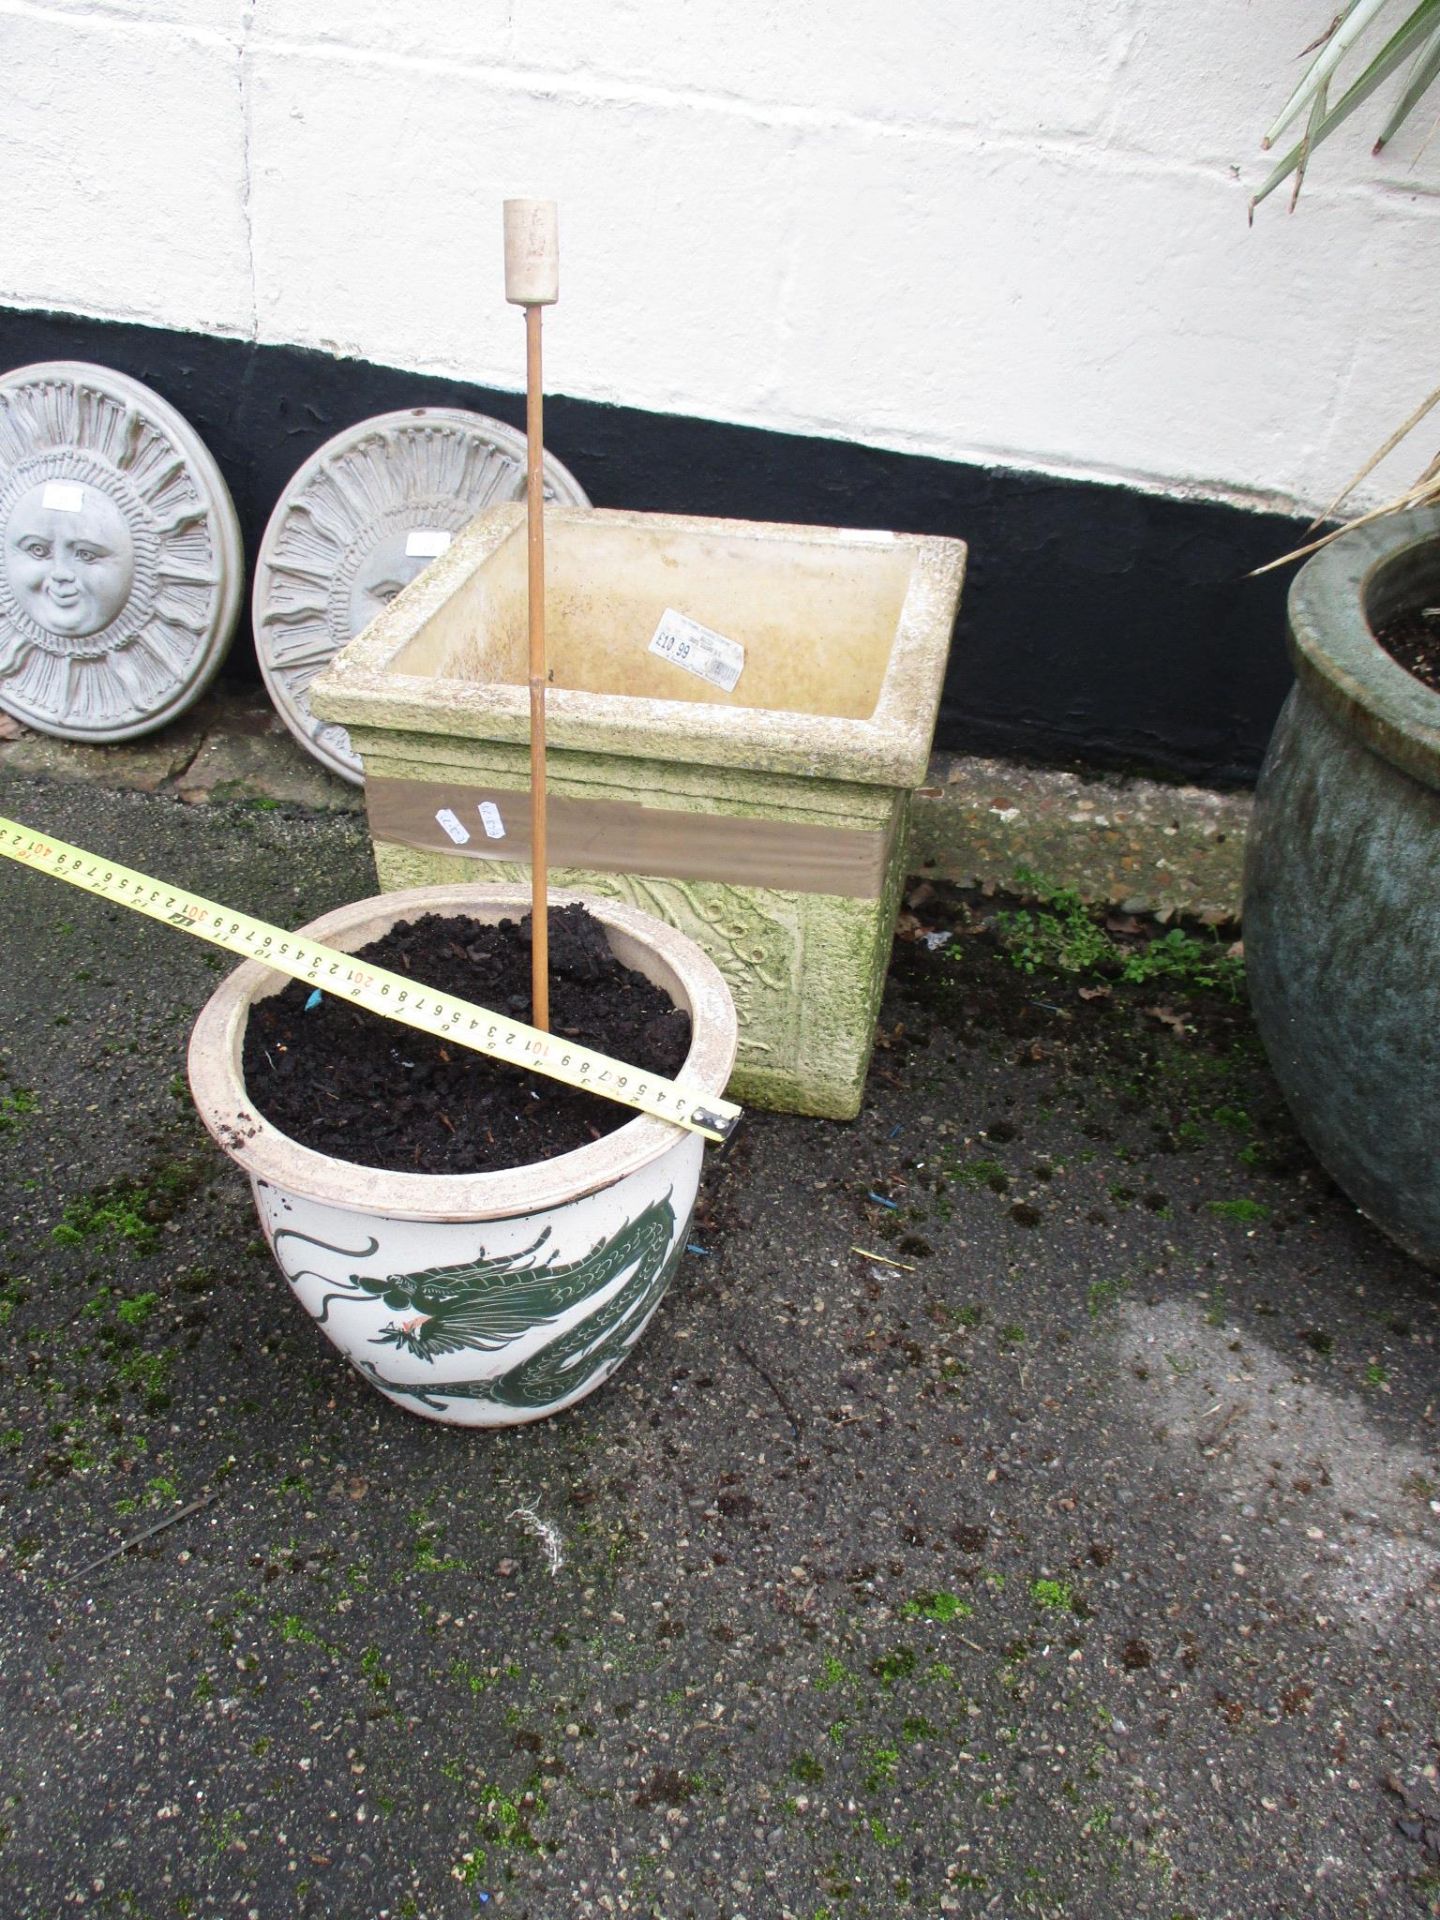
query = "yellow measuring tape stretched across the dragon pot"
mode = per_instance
[{"x": 373, "y": 988}]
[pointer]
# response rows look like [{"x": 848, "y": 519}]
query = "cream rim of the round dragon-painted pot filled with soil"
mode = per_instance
[{"x": 272, "y": 1157}]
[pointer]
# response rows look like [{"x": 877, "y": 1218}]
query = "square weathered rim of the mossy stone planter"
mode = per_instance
[{"x": 890, "y": 748}]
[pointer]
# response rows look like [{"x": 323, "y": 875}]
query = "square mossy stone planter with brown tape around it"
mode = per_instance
[{"x": 767, "y": 823}]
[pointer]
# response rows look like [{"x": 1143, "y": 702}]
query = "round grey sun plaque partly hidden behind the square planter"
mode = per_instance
[{"x": 356, "y": 525}]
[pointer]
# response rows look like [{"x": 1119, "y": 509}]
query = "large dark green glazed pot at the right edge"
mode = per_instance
[{"x": 1343, "y": 882}]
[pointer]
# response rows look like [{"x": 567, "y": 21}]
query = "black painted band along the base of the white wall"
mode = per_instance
[{"x": 1099, "y": 625}]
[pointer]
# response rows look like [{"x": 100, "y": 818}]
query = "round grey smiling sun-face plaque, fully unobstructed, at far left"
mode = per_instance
[{"x": 120, "y": 556}]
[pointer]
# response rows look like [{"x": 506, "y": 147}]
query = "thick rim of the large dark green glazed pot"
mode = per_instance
[{"x": 1339, "y": 660}]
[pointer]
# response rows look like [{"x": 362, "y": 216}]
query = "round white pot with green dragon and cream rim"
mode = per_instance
[{"x": 483, "y": 1299}]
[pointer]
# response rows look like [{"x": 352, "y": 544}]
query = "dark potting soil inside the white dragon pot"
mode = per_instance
[{"x": 383, "y": 1095}]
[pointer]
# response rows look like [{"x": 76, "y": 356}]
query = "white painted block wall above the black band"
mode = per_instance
[{"x": 1007, "y": 233}]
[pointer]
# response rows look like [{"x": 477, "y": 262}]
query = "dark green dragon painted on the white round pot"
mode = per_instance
[{"x": 487, "y": 1303}]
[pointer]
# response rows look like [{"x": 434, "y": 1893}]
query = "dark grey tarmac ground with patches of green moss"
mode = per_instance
[{"x": 1026, "y": 1500}]
